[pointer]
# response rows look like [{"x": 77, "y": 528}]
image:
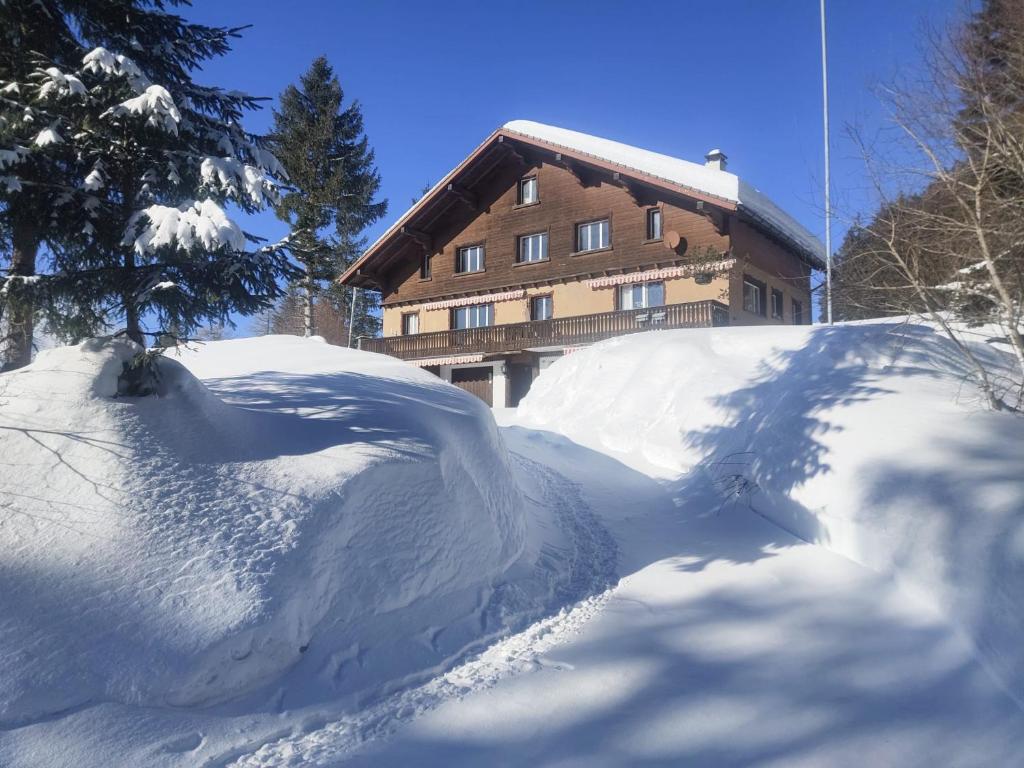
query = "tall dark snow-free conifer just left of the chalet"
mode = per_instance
[{"x": 332, "y": 182}]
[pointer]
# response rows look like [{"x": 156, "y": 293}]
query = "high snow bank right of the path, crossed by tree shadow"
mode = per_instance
[{"x": 866, "y": 438}]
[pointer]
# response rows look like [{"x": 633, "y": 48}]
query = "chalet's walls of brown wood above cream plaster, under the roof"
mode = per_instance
[{"x": 708, "y": 245}]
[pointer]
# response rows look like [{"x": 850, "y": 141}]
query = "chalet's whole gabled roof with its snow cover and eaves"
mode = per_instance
[{"x": 681, "y": 177}]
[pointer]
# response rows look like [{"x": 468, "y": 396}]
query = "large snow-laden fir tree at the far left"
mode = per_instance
[{"x": 145, "y": 161}]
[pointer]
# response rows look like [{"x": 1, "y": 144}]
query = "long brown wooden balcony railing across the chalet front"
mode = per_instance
[{"x": 582, "y": 329}]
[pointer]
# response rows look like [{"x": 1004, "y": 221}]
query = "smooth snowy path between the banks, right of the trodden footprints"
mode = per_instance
[{"x": 731, "y": 644}]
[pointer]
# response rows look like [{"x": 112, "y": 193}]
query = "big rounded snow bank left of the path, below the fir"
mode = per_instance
[{"x": 343, "y": 517}]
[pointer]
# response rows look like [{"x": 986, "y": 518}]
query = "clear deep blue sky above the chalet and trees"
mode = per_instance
[{"x": 435, "y": 79}]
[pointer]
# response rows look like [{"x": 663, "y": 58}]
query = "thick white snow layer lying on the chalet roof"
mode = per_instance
[{"x": 694, "y": 176}]
